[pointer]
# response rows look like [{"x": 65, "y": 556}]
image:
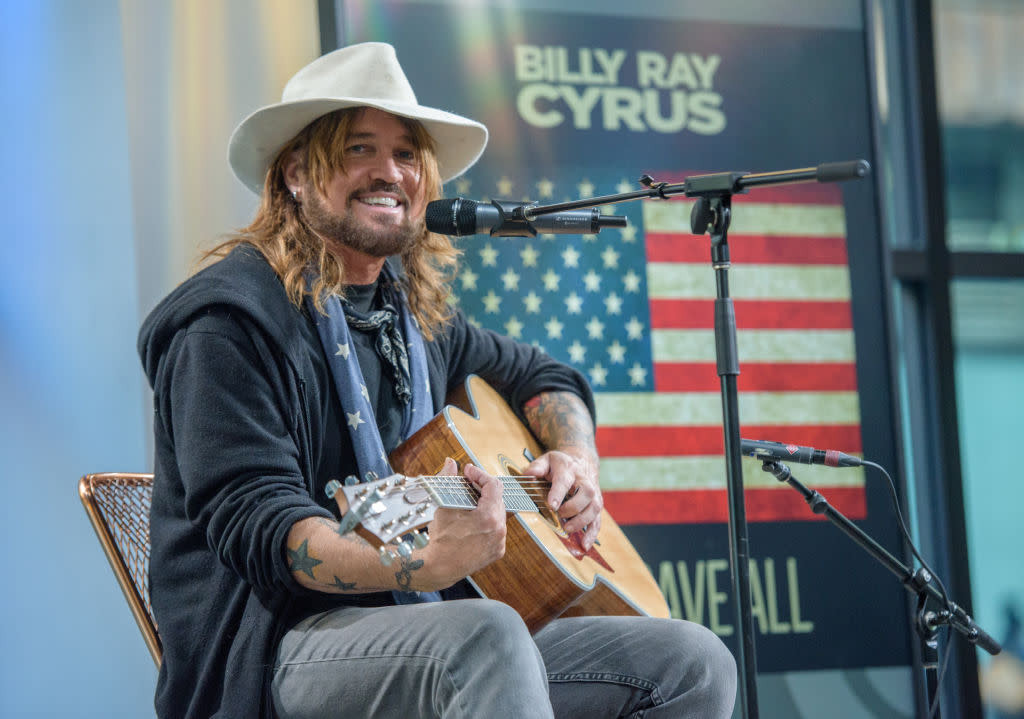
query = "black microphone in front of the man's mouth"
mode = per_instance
[{"x": 509, "y": 220}]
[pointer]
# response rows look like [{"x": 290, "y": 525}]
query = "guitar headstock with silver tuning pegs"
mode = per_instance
[{"x": 385, "y": 512}]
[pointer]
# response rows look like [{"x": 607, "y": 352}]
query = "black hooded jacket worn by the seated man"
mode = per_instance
[{"x": 247, "y": 432}]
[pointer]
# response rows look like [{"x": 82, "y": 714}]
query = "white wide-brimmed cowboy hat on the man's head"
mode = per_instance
[{"x": 364, "y": 75}]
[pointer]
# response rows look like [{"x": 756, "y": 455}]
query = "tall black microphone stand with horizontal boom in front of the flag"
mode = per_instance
[{"x": 712, "y": 214}]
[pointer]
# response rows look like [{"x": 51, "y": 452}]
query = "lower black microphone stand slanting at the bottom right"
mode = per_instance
[{"x": 927, "y": 622}]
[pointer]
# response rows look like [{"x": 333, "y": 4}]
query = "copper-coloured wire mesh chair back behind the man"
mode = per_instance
[{"x": 118, "y": 505}]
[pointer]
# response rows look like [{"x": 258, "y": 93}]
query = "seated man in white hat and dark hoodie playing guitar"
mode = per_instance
[{"x": 305, "y": 355}]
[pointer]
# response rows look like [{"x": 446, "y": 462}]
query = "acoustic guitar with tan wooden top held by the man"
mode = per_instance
[{"x": 545, "y": 573}]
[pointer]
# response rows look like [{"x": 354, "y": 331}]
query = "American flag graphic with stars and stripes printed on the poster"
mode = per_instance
[{"x": 632, "y": 309}]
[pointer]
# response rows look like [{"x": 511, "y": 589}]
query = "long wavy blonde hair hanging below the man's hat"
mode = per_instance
[{"x": 280, "y": 233}]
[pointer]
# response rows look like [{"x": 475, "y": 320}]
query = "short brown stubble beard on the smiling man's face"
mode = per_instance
[{"x": 376, "y": 240}]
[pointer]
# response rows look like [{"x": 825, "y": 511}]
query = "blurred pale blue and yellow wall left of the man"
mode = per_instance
[{"x": 115, "y": 132}]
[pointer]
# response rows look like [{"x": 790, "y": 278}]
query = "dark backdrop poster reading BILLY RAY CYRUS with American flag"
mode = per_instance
[{"x": 582, "y": 105}]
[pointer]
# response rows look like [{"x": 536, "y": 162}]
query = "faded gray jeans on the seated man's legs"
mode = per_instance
[{"x": 475, "y": 658}]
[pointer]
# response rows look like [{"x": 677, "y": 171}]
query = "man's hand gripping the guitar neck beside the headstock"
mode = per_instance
[{"x": 463, "y": 541}]
